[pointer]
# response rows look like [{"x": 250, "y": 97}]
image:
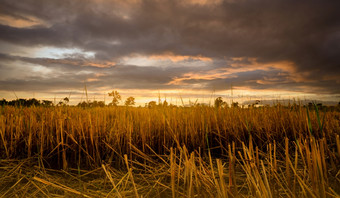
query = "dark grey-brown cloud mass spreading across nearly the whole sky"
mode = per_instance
[{"x": 305, "y": 33}]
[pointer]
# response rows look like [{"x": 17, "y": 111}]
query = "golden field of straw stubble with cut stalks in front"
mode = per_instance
[{"x": 169, "y": 152}]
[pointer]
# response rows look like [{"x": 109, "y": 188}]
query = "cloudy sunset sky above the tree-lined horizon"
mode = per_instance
[{"x": 176, "y": 49}]
